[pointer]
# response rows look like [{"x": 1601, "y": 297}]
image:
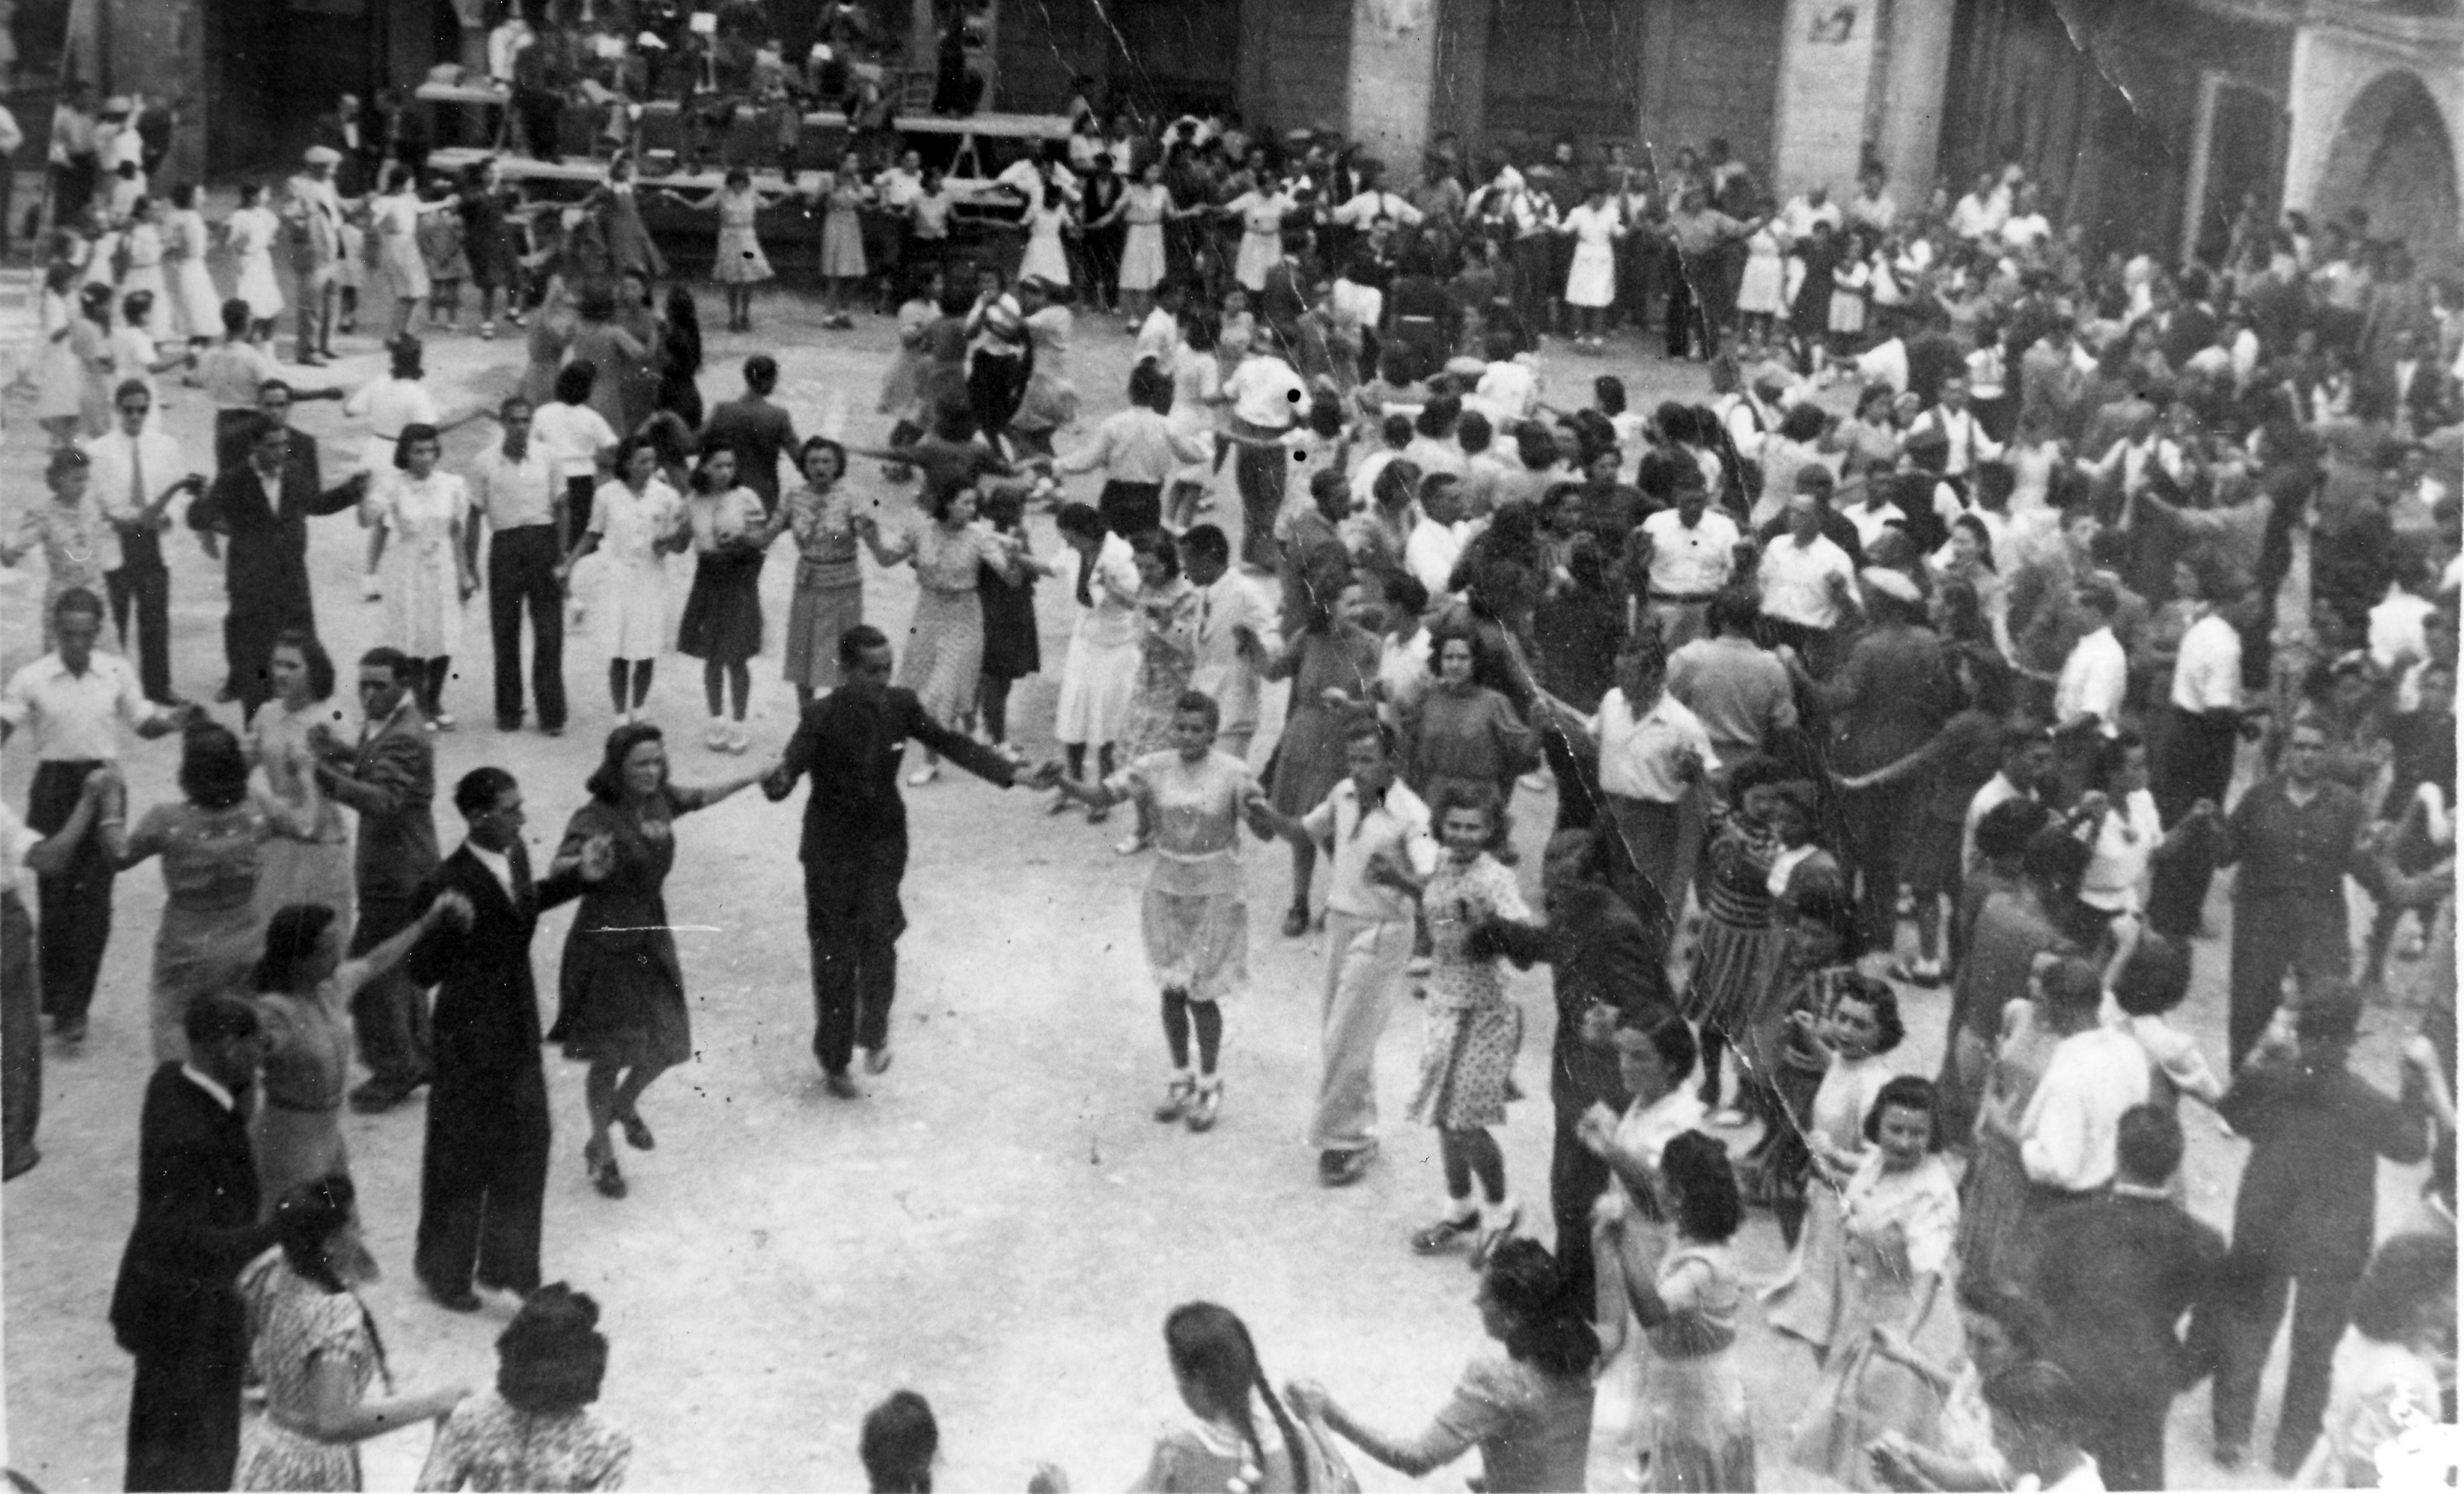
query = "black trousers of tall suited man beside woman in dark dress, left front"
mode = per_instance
[{"x": 484, "y": 1180}]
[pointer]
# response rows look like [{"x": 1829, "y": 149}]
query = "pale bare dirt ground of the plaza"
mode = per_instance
[{"x": 997, "y": 1224}]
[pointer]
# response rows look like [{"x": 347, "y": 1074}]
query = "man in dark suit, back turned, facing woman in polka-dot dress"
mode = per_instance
[{"x": 1608, "y": 965}]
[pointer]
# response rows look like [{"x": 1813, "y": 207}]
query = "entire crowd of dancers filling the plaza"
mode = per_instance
[{"x": 1963, "y": 603}]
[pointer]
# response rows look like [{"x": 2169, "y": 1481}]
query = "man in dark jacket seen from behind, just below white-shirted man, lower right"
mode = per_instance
[{"x": 2118, "y": 1276}]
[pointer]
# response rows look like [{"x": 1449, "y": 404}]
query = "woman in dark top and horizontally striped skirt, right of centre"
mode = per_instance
[{"x": 1741, "y": 955}]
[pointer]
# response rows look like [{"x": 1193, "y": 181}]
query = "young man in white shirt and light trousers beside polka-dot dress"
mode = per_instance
[{"x": 1371, "y": 830}]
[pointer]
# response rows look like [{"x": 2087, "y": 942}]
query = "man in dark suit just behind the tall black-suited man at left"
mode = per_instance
[{"x": 391, "y": 778}]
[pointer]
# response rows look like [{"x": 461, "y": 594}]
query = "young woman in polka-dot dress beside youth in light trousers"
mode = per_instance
[{"x": 1472, "y": 1029}]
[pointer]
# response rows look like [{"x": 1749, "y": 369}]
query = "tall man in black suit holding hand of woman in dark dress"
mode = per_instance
[{"x": 487, "y": 1160}]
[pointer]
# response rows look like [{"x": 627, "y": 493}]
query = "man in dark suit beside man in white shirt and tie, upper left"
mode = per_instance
[{"x": 262, "y": 507}]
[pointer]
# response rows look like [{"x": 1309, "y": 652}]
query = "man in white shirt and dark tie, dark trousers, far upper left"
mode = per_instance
[{"x": 134, "y": 480}]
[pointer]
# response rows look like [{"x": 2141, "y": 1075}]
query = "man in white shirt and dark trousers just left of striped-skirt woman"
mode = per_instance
[{"x": 1652, "y": 765}]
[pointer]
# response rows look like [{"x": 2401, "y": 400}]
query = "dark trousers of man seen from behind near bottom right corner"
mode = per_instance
[{"x": 2322, "y": 1310}]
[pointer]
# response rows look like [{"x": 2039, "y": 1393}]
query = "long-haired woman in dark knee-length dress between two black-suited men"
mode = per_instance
[{"x": 622, "y": 992}]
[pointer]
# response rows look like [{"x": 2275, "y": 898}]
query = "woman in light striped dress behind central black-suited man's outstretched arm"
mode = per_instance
[{"x": 945, "y": 642}]
